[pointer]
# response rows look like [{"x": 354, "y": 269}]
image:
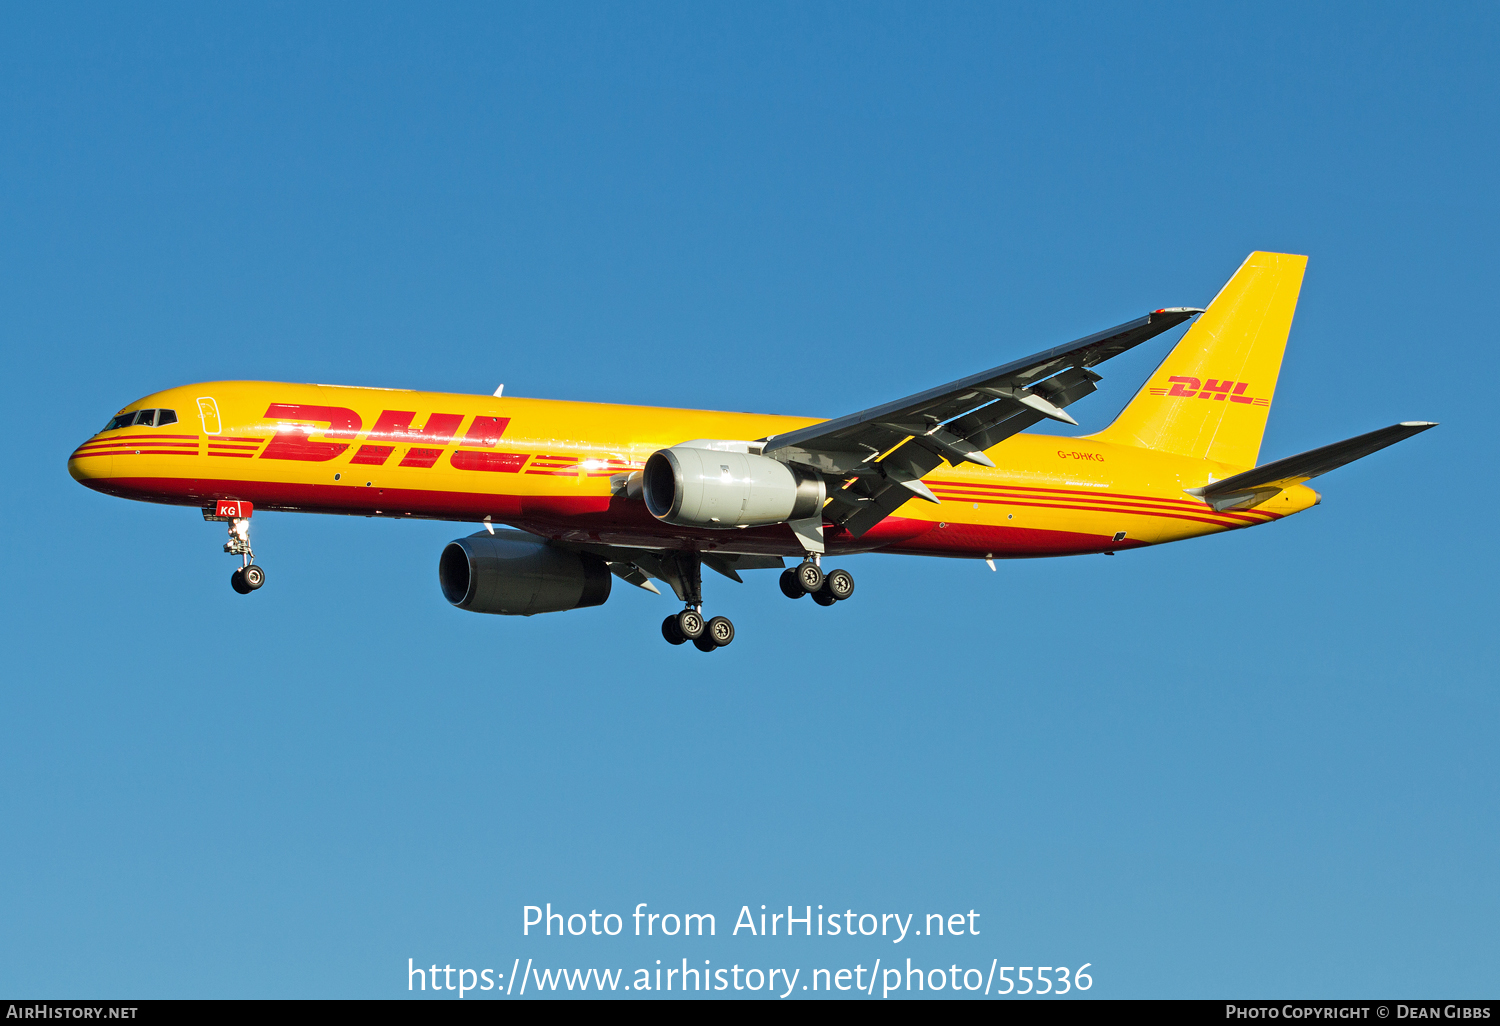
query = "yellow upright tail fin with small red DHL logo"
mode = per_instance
[{"x": 1211, "y": 397}]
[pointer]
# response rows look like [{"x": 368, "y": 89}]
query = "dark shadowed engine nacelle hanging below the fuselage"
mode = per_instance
[{"x": 517, "y": 574}]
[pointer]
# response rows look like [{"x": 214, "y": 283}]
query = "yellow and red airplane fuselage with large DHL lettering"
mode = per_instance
[{"x": 556, "y": 469}]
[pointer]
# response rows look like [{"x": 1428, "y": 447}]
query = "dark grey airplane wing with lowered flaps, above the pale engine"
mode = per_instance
[{"x": 884, "y": 452}]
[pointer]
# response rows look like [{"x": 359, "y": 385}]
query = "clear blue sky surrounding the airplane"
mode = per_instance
[{"x": 1252, "y": 766}]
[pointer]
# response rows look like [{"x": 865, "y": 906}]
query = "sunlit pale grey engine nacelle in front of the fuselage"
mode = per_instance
[{"x": 727, "y": 488}]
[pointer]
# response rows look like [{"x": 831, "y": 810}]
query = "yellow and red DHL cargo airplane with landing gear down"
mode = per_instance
[{"x": 574, "y": 496}]
